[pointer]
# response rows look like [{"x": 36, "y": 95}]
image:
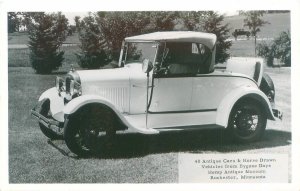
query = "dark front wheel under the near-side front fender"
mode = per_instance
[{"x": 86, "y": 132}]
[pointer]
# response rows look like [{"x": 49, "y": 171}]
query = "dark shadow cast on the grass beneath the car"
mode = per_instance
[{"x": 130, "y": 145}]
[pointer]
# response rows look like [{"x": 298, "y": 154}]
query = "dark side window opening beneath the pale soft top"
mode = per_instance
[{"x": 184, "y": 59}]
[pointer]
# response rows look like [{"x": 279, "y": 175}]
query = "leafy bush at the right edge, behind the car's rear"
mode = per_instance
[{"x": 280, "y": 48}]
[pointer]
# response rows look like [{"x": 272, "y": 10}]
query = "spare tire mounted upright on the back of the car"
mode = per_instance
[{"x": 267, "y": 86}]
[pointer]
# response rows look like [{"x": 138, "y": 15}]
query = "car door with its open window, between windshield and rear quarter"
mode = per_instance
[{"x": 172, "y": 89}]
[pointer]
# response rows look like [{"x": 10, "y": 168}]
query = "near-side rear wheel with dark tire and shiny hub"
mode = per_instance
[{"x": 247, "y": 122}]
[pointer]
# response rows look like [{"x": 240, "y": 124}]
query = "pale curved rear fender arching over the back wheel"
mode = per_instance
[{"x": 226, "y": 105}]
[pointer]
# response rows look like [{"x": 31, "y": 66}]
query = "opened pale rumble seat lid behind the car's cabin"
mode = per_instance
[{"x": 248, "y": 66}]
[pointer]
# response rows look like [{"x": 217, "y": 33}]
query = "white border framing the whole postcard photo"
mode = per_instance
[{"x": 158, "y": 5}]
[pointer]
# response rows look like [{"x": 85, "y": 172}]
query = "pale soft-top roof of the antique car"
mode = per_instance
[{"x": 207, "y": 39}]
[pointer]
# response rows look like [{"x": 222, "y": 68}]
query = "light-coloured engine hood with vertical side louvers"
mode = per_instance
[{"x": 111, "y": 84}]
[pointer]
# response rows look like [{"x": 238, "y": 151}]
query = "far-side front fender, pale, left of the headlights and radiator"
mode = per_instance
[{"x": 56, "y": 103}]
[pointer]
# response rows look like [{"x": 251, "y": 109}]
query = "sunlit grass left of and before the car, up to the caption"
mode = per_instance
[{"x": 32, "y": 160}]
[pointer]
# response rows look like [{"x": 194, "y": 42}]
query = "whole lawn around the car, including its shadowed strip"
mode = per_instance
[{"x": 137, "y": 158}]
